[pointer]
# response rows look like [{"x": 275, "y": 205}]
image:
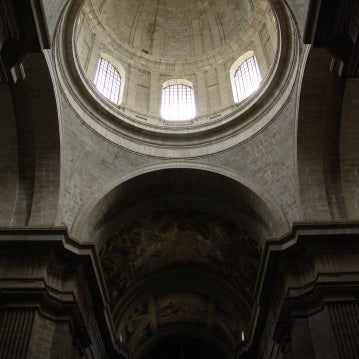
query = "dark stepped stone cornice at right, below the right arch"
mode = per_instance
[{"x": 299, "y": 272}]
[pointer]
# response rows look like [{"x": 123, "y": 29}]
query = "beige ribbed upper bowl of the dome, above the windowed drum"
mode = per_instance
[{"x": 177, "y": 29}]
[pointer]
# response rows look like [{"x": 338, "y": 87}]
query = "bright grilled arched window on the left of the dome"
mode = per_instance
[{"x": 108, "y": 81}]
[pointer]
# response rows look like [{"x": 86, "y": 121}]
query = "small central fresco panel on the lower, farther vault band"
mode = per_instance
[{"x": 181, "y": 307}]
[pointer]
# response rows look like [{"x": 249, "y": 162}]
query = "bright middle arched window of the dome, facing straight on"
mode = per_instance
[{"x": 178, "y": 102}]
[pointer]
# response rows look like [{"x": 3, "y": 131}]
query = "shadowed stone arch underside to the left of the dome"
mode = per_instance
[{"x": 31, "y": 144}]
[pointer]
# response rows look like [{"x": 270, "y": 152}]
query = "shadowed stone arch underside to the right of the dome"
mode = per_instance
[{"x": 318, "y": 139}]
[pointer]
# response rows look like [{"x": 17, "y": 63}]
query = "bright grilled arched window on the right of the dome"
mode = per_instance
[{"x": 245, "y": 76}]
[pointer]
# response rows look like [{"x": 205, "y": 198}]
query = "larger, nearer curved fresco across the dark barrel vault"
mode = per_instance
[{"x": 170, "y": 238}]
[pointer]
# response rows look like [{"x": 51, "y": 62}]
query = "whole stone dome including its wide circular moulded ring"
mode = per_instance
[{"x": 185, "y": 79}]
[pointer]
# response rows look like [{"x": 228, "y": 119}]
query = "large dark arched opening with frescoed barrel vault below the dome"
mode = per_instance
[{"x": 181, "y": 250}]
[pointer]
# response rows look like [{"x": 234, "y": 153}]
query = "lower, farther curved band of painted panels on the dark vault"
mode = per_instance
[{"x": 181, "y": 307}]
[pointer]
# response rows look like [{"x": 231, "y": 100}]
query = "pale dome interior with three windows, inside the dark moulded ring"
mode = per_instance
[{"x": 198, "y": 44}]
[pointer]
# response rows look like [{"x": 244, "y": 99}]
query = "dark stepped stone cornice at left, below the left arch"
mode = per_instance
[{"x": 59, "y": 277}]
